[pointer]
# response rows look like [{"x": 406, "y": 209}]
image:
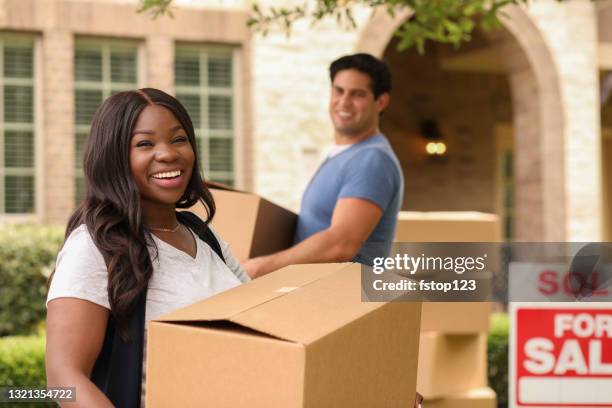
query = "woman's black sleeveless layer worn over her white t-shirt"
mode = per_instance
[{"x": 118, "y": 368}]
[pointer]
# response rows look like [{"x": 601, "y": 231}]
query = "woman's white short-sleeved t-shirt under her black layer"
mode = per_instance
[{"x": 178, "y": 279}]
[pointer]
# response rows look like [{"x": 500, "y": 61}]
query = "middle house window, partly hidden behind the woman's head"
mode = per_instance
[{"x": 101, "y": 68}]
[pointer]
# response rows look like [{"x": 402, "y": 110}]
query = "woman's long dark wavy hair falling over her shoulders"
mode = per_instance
[{"x": 111, "y": 209}]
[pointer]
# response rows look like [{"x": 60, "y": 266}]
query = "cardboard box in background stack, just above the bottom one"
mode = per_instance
[{"x": 450, "y": 364}]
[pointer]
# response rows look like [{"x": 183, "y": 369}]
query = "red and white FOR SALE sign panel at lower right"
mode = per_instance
[{"x": 561, "y": 355}]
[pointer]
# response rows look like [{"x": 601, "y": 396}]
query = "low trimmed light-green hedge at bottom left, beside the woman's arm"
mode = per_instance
[{"x": 22, "y": 364}]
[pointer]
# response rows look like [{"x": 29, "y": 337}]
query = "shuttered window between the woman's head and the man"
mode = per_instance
[{"x": 204, "y": 82}]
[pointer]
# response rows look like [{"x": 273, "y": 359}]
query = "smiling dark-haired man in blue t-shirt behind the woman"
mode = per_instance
[{"x": 349, "y": 209}]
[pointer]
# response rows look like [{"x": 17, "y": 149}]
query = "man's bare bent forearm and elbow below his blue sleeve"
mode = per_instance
[{"x": 352, "y": 222}]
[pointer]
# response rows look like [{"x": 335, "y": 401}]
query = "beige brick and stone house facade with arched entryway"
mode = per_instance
[{"x": 522, "y": 111}]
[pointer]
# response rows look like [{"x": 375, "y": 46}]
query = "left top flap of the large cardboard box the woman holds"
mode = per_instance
[{"x": 228, "y": 304}]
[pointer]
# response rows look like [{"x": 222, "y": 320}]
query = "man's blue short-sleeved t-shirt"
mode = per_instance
[{"x": 368, "y": 170}]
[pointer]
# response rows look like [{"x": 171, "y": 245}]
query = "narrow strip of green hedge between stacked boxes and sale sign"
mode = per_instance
[{"x": 498, "y": 357}]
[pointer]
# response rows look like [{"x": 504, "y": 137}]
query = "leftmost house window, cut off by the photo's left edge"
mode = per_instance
[{"x": 17, "y": 135}]
